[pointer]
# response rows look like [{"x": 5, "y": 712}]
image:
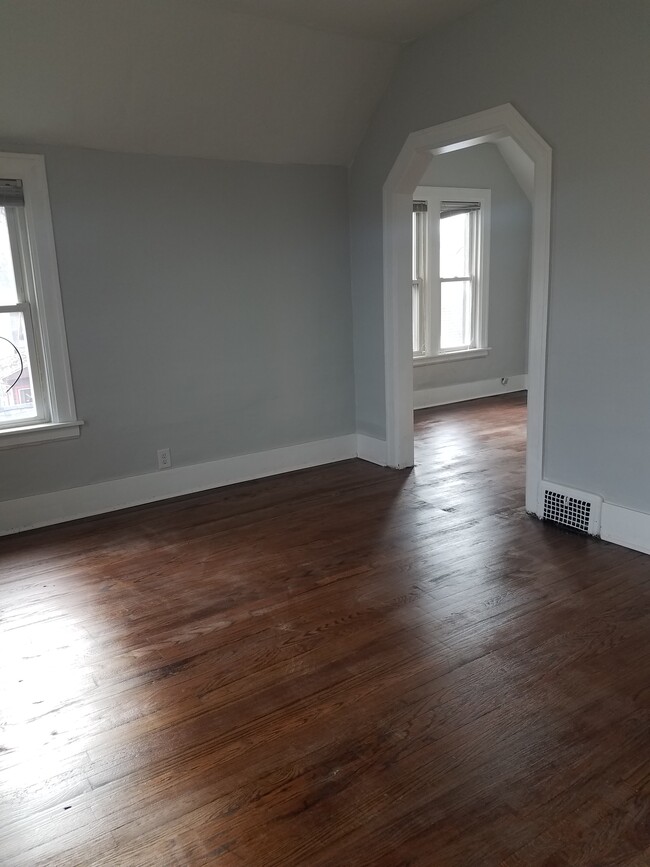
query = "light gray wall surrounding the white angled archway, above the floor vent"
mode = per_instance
[{"x": 579, "y": 71}]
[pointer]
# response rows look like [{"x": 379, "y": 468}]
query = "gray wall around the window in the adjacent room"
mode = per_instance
[{"x": 483, "y": 167}]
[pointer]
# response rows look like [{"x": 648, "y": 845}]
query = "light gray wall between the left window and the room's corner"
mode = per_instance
[{"x": 207, "y": 307}]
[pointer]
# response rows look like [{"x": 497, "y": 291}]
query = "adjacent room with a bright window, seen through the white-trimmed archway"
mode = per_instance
[{"x": 471, "y": 260}]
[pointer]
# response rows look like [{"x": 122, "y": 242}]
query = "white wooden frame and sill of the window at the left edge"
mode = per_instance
[{"x": 32, "y": 227}]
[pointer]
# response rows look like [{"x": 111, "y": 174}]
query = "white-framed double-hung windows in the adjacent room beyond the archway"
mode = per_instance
[{"x": 450, "y": 273}]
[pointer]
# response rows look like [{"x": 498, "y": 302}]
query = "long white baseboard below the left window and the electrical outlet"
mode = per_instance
[{"x": 42, "y": 510}]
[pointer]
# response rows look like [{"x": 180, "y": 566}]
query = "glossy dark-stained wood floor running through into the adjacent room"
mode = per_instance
[{"x": 342, "y": 666}]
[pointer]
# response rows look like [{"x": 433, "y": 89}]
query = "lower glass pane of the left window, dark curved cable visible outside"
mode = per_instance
[{"x": 16, "y": 384}]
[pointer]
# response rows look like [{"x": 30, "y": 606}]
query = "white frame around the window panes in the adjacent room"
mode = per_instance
[{"x": 479, "y": 348}]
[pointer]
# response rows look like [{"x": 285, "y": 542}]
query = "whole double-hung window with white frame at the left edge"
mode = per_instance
[{"x": 36, "y": 401}]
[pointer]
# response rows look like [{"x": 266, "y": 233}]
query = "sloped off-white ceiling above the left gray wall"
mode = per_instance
[{"x": 286, "y": 81}]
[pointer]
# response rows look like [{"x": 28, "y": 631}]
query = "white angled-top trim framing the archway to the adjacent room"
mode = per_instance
[{"x": 492, "y": 126}]
